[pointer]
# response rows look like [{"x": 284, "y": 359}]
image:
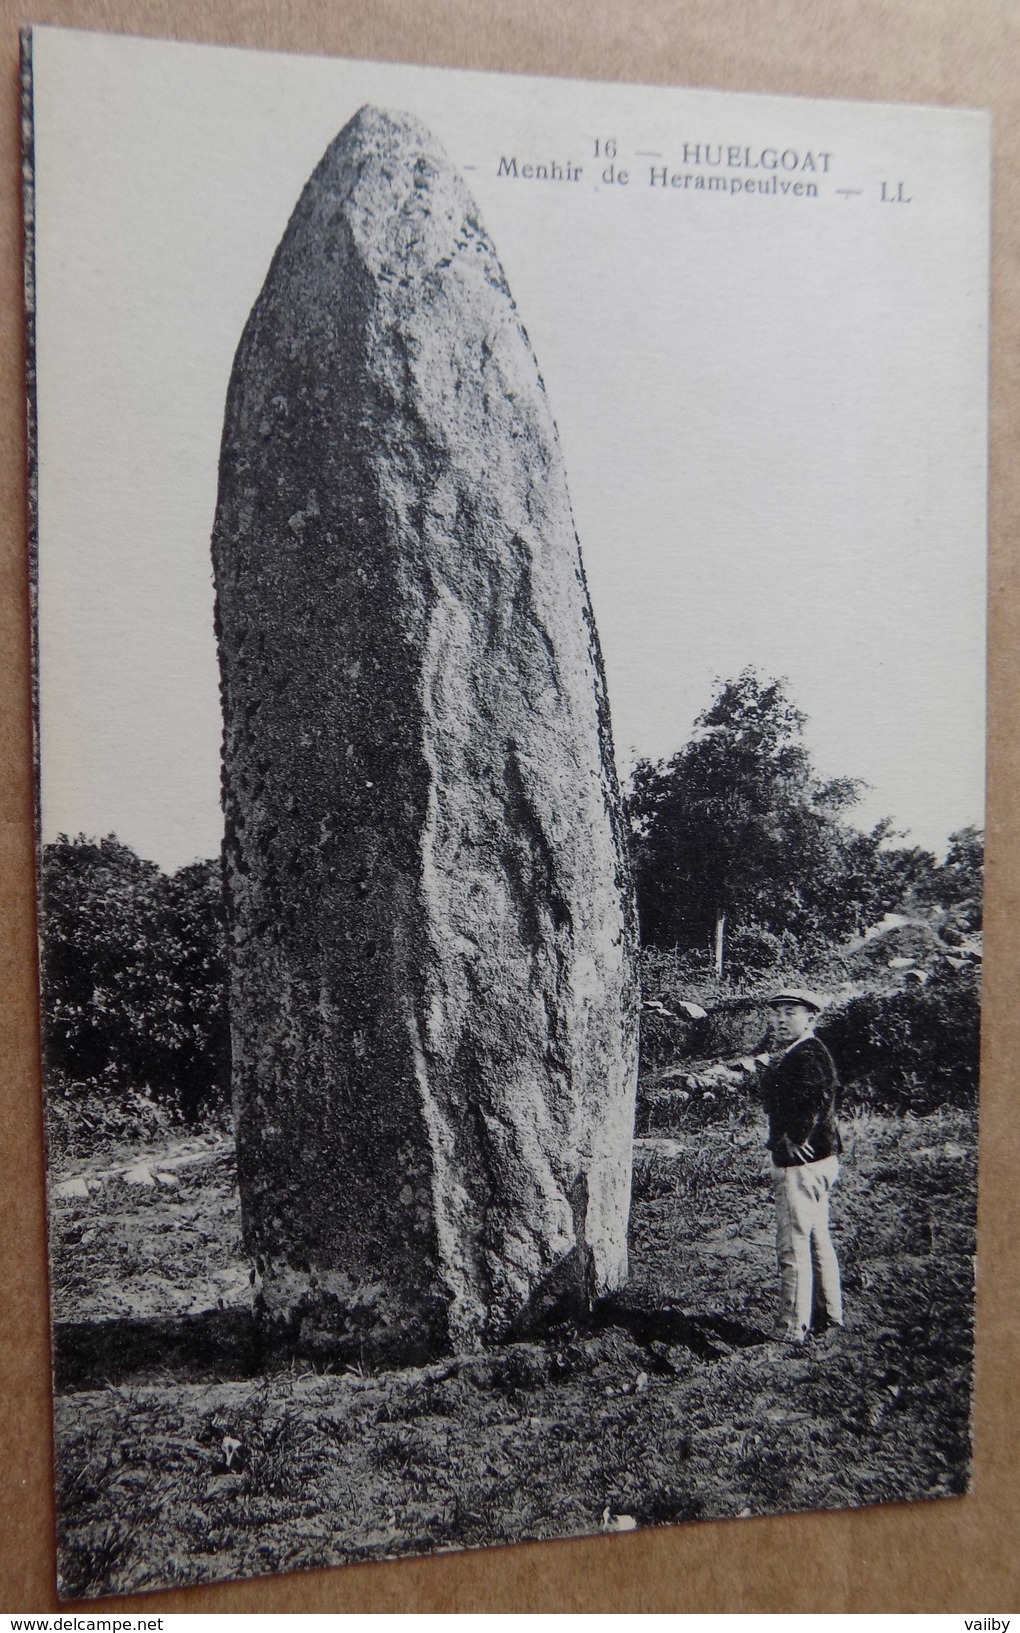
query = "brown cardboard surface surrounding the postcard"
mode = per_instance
[{"x": 952, "y": 1555}]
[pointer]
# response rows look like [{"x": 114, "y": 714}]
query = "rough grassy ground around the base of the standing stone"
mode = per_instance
[{"x": 184, "y": 1456}]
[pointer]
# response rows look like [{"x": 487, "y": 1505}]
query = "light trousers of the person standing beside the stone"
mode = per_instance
[{"x": 804, "y": 1245}]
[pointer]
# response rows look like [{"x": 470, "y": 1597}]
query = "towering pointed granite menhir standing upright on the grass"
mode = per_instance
[{"x": 432, "y": 922}]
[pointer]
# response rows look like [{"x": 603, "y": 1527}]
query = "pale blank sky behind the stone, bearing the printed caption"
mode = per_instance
[{"x": 773, "y": 406}]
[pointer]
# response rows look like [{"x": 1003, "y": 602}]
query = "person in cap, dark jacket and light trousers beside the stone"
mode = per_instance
[{"x": 800, "y": 1093}]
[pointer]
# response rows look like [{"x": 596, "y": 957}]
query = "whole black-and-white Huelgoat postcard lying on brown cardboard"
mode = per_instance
[{"x": 510, "y": 657}]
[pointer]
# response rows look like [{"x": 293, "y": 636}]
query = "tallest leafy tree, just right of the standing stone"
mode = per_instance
[{"x": 738, "y": 834}]
